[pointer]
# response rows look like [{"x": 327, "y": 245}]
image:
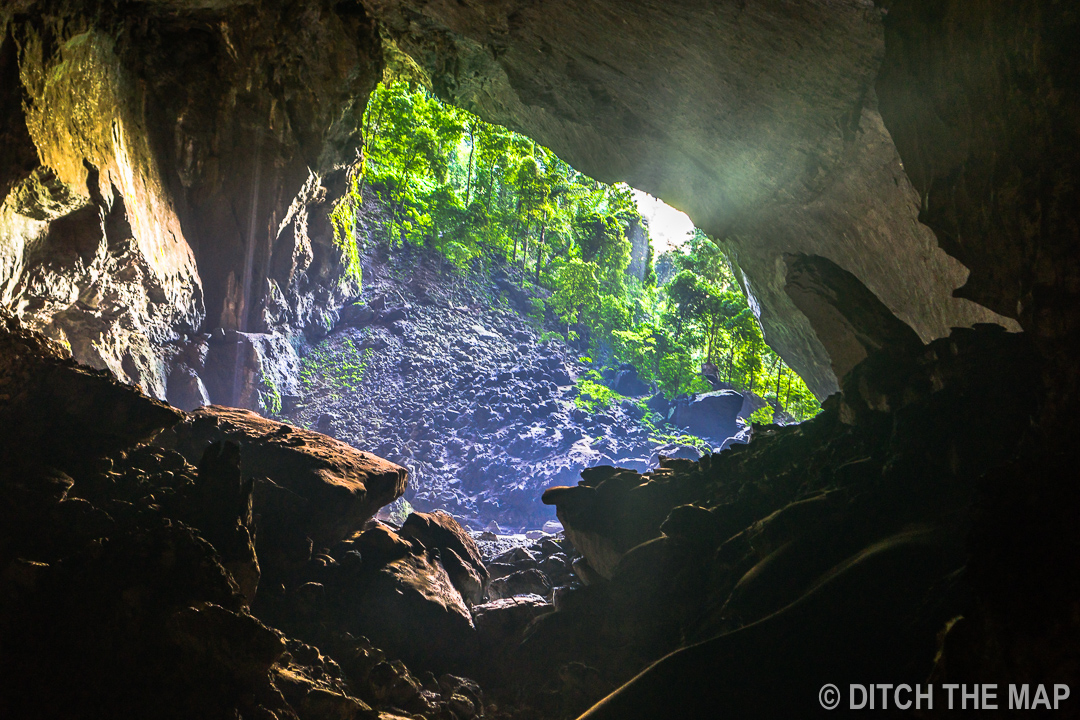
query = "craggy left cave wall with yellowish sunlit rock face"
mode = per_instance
[{"x": 153, "y": 155}]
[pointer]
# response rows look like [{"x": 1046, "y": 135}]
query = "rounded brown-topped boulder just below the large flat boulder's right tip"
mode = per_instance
[{"x": 460, "y": 554}]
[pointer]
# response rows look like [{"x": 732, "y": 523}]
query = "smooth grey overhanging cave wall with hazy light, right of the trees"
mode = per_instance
[{"x": 759, "y": 120}]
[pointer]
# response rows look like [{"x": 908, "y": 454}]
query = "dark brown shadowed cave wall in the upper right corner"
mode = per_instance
[{"x": 982, "y": 101}]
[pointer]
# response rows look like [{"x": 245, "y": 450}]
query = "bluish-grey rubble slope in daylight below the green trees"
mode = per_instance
[{"x": 450, "y": 378}]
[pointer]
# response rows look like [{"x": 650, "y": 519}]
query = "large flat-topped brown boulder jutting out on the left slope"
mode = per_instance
[{"x": 315, "y": 487}]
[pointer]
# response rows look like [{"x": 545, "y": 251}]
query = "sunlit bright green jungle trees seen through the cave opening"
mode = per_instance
[{"x": 483, "y": 196}]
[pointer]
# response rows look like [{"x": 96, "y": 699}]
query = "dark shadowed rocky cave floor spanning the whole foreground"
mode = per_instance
[{"x": 232, "y": 568}]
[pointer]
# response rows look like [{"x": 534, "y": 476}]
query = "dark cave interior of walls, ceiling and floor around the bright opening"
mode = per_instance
[{"x": 895, "y": 187}]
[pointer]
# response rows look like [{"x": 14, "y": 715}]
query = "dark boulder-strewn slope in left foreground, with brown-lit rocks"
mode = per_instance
[{"x": 152, "y": 580}]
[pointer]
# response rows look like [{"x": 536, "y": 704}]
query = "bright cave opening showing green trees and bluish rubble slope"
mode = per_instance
[{"x": 517, "y": 324}]
